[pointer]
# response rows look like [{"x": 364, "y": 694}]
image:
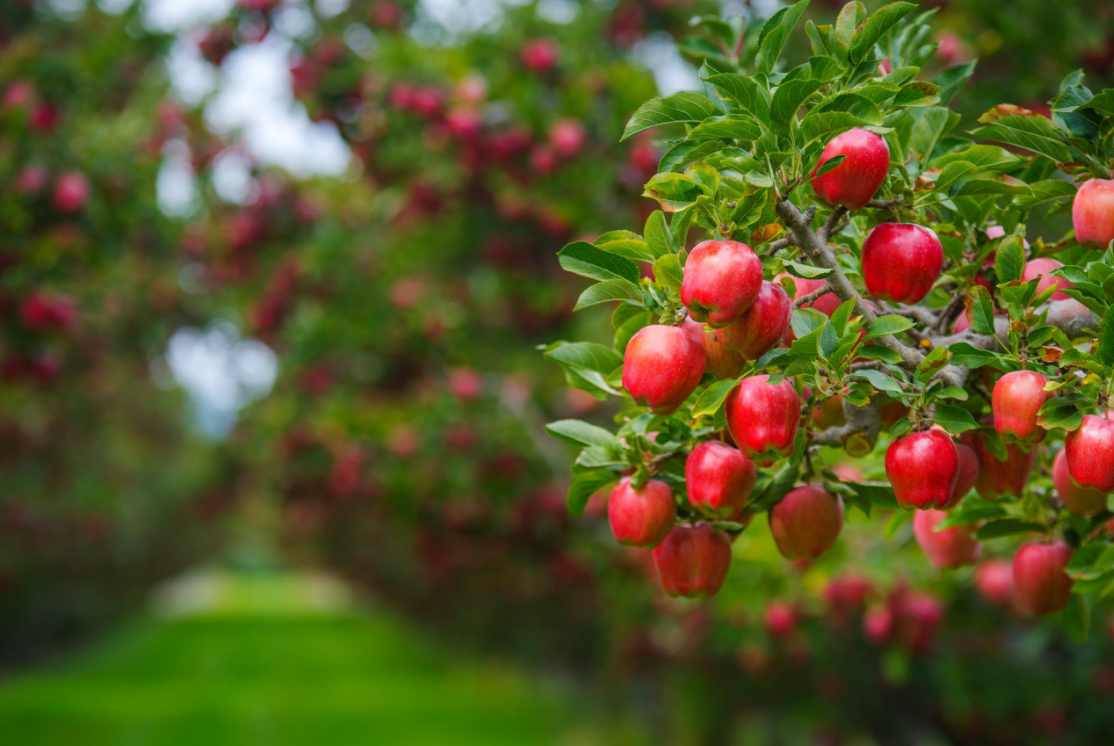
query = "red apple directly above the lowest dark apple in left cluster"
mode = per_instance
[{"x": 719, "y": 478}]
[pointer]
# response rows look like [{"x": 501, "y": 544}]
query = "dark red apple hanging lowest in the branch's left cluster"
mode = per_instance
[{"x": 692, "y": 561}]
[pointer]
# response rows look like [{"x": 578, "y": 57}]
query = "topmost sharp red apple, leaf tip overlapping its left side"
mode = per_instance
[{"x": 855, "y": 182}]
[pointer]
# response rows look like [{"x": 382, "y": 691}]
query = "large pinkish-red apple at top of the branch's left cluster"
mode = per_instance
[{"x": 722, "y": 280}]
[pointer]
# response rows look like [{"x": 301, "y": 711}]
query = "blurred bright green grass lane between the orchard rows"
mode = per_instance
[{"x": 266, "y": 662}]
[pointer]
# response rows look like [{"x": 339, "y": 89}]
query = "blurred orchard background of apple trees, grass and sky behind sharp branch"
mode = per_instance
[{"x": 273, "y": 278}]
